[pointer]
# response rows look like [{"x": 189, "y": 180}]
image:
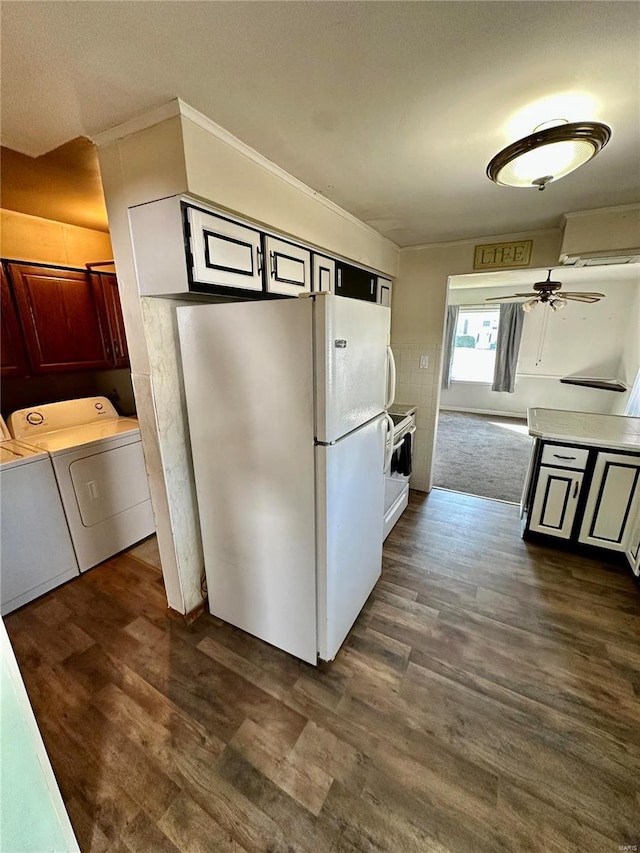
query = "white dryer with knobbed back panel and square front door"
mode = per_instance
[{"x": 99, "y": 466}]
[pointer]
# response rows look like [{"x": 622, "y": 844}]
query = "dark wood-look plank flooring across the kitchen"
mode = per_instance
[{"x": 487, "y": 699}]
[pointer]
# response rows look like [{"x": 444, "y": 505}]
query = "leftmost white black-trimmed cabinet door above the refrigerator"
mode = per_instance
[{"x": 224, "y": 253}]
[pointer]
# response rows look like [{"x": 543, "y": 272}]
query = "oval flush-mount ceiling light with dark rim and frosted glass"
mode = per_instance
[{"x": 548, "y": 154}]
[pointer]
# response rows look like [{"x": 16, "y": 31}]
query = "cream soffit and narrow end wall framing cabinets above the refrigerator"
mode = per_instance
[{"x": 178, "y": 151}]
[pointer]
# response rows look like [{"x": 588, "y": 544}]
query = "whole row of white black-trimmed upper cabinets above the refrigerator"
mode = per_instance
[{"x": 180, "y": 247}]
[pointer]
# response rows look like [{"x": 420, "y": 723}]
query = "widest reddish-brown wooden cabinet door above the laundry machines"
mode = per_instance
[{"x": 60, "y": 318}]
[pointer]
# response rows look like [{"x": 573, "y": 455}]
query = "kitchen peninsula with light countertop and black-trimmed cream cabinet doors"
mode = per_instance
[{"x": 583, "y": 482}]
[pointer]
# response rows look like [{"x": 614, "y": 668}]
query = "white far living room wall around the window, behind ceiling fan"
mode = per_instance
[{"x": 587, "y": 340}]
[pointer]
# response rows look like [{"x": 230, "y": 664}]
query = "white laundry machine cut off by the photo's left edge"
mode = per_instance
[{"x": 37, "y": 554}]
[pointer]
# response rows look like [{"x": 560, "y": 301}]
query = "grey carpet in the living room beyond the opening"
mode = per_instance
[{"x": 482, "y": 455}]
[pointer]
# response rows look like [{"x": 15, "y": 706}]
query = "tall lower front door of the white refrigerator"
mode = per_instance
[{"x": 350, "y": 499}]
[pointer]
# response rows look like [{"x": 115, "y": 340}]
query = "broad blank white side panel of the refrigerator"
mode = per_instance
[{"x": 248, "y": 379}]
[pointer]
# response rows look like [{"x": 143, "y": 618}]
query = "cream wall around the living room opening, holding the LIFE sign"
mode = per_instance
[{"x": 417, "y": 324}]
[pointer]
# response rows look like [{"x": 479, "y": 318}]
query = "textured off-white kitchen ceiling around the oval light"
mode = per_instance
[{"x": 390, "y": 109}]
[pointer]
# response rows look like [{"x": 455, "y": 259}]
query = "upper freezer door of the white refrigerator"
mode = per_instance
[{"x": 351, "y": 340}]
